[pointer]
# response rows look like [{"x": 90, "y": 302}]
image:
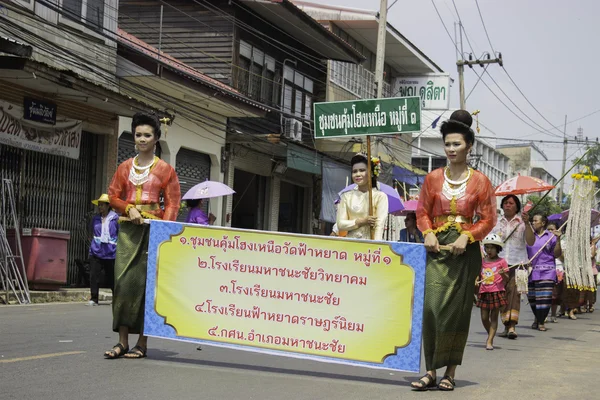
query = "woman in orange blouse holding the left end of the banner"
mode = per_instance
[{"x": 135, "y": 192}]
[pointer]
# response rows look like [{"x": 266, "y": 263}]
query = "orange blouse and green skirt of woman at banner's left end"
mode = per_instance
[{"x": 139, "y": 188}]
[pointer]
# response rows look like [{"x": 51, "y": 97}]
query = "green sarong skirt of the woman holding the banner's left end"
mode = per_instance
[{"x": 130, "y": 277}]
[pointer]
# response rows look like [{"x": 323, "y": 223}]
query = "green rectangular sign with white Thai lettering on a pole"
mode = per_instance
[{"x": 387, "y": 116}]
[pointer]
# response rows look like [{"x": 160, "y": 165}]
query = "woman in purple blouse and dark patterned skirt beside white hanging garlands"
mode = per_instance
[{"x": 542, "y": 277}]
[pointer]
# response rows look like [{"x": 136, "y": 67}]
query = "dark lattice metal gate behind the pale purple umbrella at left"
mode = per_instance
[{"x": 192, "y": 168}]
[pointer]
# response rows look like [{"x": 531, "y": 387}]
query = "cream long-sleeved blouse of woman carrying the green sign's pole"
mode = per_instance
[{"x": 354, "y": 204}]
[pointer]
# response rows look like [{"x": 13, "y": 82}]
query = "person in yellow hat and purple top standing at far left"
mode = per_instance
[{"x": 103, "y": 250}]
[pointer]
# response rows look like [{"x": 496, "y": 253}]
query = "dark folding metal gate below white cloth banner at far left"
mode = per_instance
[{"x": 55, "y": 192}]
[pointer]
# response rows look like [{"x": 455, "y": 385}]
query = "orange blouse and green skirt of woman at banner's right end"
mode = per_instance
[{"x": 447, "y": 208}]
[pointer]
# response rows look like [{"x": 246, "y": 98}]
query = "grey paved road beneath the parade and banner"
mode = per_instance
[{"x": 55, "y": 351}]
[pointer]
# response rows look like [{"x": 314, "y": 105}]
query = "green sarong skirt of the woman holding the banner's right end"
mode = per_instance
[{"x": 449, "y": 287}]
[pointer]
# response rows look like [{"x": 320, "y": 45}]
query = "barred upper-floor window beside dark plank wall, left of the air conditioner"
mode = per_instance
[{"x": 256, "y": 74}]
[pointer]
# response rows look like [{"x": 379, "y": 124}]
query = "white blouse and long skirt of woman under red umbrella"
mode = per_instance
[{"x": 515, "y": 252}]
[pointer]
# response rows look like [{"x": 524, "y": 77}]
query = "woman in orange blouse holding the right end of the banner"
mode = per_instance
[{"x": 449, "y": 200}]
